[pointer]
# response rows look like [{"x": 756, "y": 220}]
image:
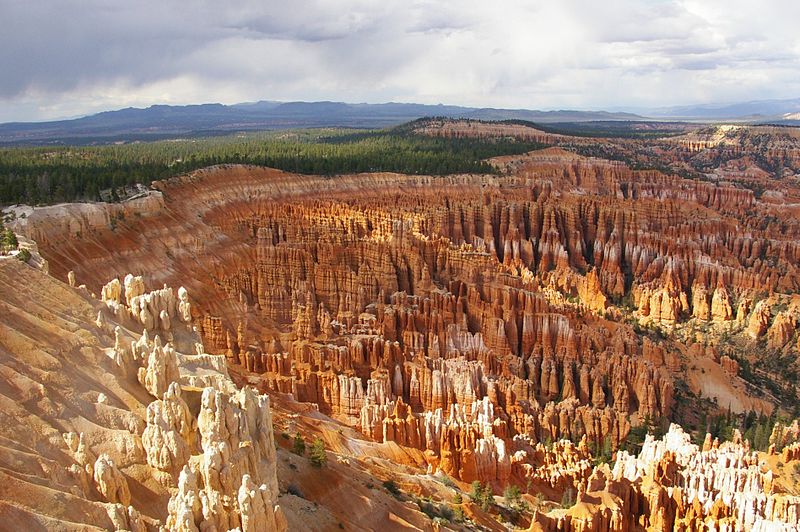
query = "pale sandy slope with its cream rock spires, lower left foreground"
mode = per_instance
[{"x": 123, "y": 416}]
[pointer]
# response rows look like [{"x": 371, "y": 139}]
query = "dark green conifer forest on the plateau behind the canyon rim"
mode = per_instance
[{"x": 44, "y": 175}]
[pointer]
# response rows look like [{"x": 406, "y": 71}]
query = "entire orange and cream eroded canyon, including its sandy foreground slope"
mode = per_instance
[{"x": 507, "y": 329}]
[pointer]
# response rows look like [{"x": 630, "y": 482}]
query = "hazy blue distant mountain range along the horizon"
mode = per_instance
[{"x": 167, "y": 121}]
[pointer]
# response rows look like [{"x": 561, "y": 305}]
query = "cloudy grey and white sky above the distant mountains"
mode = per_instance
[{"x": 62, "y": 58}]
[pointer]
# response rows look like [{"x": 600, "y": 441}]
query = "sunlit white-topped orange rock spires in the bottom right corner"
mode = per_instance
[{"x": 673, "y": 484}]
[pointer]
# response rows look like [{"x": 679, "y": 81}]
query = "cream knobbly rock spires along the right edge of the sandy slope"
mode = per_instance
[{"x": 232, "y": 436}]
